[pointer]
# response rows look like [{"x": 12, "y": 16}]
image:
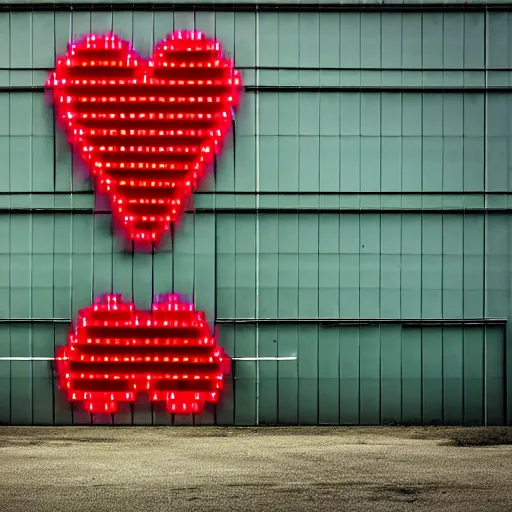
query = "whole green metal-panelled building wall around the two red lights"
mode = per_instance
[{"x": 352, "y": 244}]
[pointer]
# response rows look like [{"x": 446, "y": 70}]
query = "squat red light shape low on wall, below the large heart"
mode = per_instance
[{"x": 116, "y": 351}]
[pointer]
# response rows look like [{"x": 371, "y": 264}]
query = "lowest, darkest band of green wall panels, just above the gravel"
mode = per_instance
[{"x": 343, "y": 375}]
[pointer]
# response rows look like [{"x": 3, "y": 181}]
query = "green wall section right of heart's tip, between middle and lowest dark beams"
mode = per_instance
[{"x": 388, "y": 266}]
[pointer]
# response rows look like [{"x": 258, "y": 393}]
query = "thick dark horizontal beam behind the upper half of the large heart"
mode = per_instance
[{"x": 283, "y": 89}]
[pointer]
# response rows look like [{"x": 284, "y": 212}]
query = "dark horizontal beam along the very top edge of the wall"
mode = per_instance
[{"x": 332, "y": 7}]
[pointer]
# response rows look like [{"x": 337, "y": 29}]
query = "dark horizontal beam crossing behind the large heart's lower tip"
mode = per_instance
[{"x": 282, "y": 210}]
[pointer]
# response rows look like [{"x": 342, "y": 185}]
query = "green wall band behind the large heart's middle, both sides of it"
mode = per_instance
[{"x": 387, "y": 160}]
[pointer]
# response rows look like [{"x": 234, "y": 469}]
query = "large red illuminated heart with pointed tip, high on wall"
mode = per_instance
[{"x": 147, "y": 130}]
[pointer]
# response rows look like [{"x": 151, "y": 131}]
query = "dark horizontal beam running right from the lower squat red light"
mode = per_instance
[{"x": 350, "y": 322}]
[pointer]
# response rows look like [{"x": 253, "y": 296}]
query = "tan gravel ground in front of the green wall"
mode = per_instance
[{"x": 267, "y": 469}]
